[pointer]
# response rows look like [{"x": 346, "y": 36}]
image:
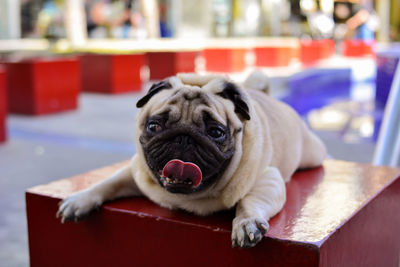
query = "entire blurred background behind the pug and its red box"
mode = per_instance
[{"x": 71, "y": 72}]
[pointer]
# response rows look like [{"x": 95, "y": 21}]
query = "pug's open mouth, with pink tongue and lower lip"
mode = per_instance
[{"x": 178, "y": 175}]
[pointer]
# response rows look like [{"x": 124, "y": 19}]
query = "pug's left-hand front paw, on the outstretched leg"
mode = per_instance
[{"x": 78, "y": 205}]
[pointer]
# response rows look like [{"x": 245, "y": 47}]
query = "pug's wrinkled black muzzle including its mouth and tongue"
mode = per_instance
[{"x": 184, "y": 161}]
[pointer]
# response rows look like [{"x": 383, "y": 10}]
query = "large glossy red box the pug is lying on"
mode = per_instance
[{"x": 341, "y": 214}]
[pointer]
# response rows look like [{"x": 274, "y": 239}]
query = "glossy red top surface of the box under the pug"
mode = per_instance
[{"x": 319, "y": 201}]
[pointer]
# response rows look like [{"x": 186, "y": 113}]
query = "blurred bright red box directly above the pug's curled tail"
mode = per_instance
[{"x": 273, "y": 56}]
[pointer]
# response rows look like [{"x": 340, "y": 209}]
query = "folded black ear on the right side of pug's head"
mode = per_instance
[{"x": 232, "y": 93}]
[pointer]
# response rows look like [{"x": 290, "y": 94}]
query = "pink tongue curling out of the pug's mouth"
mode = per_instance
[{"x": 180, "y": 170}]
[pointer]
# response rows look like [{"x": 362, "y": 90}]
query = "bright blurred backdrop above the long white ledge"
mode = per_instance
[{"x": 138, "y": 19}]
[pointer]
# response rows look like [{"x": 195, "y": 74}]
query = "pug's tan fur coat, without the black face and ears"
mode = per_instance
[{"x": 268, "y": 149}]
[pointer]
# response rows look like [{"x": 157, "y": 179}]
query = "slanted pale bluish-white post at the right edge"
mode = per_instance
[{"x": 387, "y": 150}]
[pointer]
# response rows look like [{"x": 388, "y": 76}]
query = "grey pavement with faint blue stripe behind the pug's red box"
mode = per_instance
[{"x": 101, "y": 132}]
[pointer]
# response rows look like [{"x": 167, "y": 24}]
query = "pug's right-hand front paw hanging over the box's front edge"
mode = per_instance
[{"x": 247, "y": 232}]
